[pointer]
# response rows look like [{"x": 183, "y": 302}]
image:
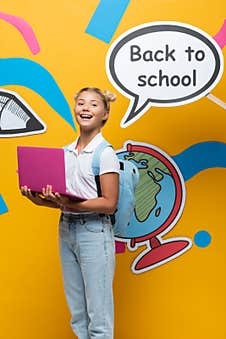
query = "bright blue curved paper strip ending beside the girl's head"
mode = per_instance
[{"x": 27, "y": 73}]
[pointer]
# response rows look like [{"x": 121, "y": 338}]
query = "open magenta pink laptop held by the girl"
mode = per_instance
[{"x": 41, "y": 166}]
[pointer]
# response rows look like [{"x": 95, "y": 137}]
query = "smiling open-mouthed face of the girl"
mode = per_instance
[{"x": 90, "y": 111}]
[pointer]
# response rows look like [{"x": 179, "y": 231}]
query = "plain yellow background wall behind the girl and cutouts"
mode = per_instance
[{"x": 182, "y": 299}]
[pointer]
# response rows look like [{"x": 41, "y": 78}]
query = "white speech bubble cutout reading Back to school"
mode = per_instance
[{"x": 163, "y": 64}]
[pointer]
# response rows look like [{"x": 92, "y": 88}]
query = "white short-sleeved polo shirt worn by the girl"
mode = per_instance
[{"x": 80, "y": 179}]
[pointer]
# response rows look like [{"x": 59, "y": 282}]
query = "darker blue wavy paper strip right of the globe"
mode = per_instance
[{"x": 199, "y": 157}]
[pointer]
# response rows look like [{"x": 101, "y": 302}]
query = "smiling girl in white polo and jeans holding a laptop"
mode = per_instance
[{"x": 85, "y": 231}]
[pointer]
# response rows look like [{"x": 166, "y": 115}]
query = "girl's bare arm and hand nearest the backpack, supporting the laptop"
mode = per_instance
[{"x": 106, "y": 204}]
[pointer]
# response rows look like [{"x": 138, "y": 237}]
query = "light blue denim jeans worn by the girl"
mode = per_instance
[{"x": 88, "y": 260}]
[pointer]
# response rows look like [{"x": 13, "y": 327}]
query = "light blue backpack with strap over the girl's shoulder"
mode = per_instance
[{"x": 128, "y": 180}]
